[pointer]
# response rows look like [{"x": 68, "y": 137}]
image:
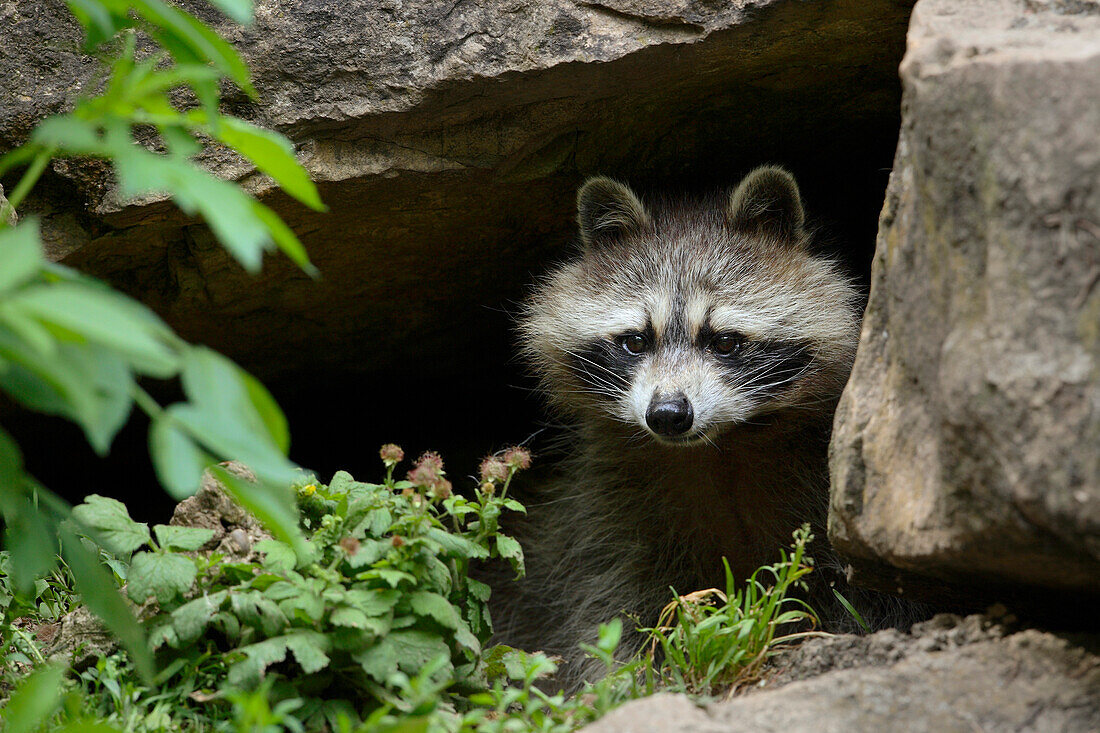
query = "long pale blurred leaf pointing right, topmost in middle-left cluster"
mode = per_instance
[{"x": 104, "y": 318}]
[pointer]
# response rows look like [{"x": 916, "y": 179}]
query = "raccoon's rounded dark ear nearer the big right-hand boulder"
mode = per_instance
[{"x": 767, "y": 202}]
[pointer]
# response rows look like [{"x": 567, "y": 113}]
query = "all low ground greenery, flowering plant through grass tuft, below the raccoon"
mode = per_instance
[{"x": 379, "y": 628}]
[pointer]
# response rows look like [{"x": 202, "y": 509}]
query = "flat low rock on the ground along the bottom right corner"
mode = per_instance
[{"x": 951, "y": 675}]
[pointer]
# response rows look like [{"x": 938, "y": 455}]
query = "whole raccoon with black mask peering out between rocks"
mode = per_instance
[{"x": 698, "y": 353}]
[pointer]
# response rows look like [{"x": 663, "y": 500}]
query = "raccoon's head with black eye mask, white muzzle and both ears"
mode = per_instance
[{"x": 687, "y": 322}]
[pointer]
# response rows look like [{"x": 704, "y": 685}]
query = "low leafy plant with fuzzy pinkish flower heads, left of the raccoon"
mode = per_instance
[{"x": 378, "y": 606}]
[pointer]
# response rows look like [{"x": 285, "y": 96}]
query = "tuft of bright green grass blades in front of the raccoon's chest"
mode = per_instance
[{"x": 711, "y": 641}]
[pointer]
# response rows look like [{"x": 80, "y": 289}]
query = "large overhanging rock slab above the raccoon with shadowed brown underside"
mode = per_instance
[{"x": 449, "y": 139}]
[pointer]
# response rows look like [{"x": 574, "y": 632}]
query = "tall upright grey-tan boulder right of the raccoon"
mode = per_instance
[{"x": 966, "y": 444}]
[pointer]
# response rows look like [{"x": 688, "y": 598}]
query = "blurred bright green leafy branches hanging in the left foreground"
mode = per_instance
[{"x": 71, "y": 346}]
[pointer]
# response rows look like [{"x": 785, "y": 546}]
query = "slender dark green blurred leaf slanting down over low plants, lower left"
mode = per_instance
[{"x": 101, "y": 595}]
